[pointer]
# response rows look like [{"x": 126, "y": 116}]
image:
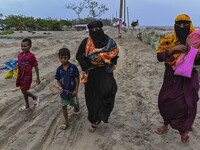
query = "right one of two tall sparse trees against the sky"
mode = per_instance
[{"x": 94, "y": 9}]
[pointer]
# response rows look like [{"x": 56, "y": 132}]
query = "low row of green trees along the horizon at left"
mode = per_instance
[{"x": 30, "y": 23}]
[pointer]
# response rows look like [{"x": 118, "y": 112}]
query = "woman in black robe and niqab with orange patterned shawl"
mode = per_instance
[{"x": 97, "y": 56}]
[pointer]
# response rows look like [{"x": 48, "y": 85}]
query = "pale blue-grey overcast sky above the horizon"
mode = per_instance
[{"x": 148, "y": 12}]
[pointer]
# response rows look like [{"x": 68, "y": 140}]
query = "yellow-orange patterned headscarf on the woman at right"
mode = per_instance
[{"x": 169, "y": 41}]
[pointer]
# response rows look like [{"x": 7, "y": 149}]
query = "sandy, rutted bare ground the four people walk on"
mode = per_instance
[{"x": 132, "y": 123}]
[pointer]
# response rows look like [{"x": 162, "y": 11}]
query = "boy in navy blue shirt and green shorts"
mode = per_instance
[{"x": 67, "y": 76}]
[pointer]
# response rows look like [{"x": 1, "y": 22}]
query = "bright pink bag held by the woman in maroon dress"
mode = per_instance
[{"x": 184, "y": 64}]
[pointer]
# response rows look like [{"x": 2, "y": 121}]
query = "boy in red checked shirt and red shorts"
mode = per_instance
[{"x": 26, "y": 62}]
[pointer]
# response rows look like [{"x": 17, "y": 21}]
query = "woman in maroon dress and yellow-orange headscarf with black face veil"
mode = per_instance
[{"x": 178, "y": 96}]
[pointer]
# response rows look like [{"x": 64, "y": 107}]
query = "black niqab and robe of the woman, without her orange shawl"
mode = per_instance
[{"x": 101, "y": 87}]
